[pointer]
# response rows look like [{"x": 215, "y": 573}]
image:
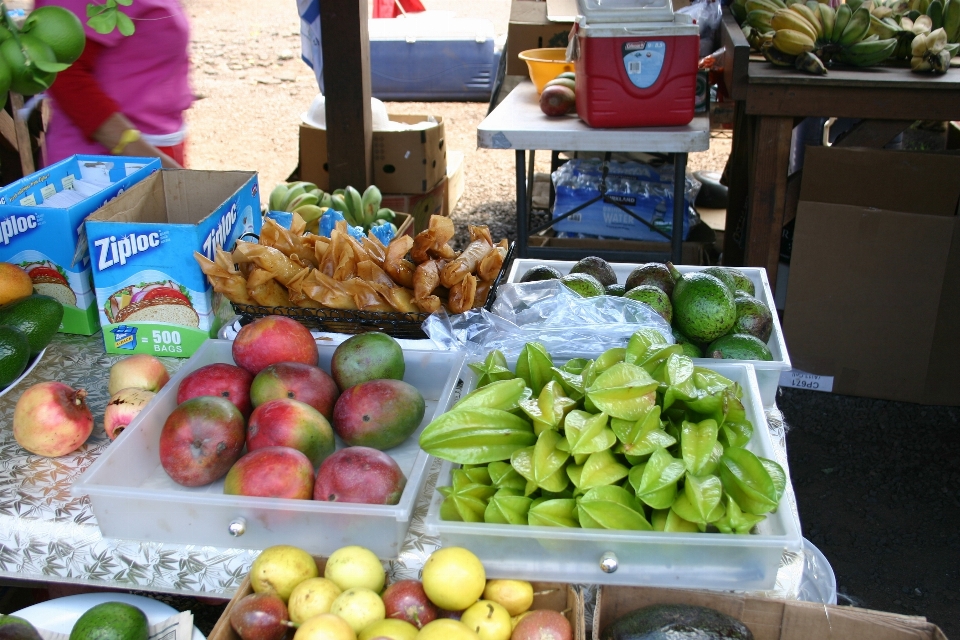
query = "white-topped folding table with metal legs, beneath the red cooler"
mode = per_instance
[{"x": 517, "y": 123}]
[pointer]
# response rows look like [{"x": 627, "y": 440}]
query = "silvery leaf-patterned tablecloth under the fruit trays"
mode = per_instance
[{"x": 49, "y": 535}]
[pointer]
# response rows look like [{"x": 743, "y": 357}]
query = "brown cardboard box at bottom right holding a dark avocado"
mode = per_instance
[{"x": 770, "y": 619}]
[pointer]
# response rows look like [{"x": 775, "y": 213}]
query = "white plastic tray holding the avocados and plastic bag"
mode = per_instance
[{"x": 768, "y": 372}]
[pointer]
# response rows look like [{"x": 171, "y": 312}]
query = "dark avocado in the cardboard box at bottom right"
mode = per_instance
[{"x": 676, "y": 622}]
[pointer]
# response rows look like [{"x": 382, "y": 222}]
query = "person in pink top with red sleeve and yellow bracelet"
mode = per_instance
[{"x": 125, "y": 95}]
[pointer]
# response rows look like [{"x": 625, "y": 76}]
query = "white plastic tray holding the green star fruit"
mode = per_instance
[{"x": 649, "y": 558}]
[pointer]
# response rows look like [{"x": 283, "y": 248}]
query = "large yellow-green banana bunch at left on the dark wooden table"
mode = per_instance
[{"x": 809, "y": 35}]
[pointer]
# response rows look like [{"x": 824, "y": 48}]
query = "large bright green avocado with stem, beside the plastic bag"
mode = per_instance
[{"x": 703, "y": 306}]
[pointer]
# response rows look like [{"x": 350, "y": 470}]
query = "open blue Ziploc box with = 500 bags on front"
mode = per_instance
[{"x": 152, "y": 296}]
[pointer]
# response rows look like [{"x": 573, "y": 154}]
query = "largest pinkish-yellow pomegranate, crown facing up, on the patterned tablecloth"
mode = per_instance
[{"x": 51, "y": 419}]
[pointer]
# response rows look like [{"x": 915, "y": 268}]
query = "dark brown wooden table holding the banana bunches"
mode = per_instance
[{"x": 771, "y": 100}]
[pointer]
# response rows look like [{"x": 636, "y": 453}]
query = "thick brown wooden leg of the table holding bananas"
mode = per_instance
[{"x": 767, "y": 192}]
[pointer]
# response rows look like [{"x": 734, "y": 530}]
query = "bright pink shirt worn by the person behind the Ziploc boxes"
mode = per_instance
[{"x": 146, "y": 73}]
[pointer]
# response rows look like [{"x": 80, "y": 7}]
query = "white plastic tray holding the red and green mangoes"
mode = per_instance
[{"x": 133, "y": 498}]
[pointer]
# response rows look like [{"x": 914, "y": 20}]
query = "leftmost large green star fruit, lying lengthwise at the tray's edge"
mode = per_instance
[{"x": 476, "y": 436}]
